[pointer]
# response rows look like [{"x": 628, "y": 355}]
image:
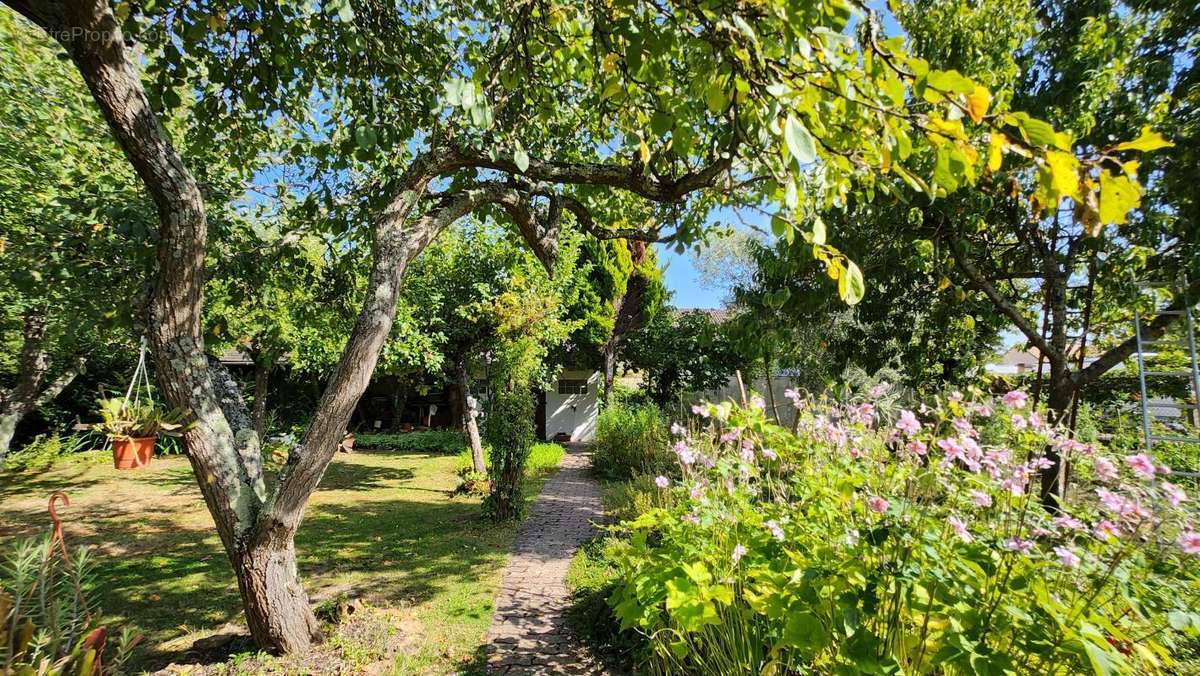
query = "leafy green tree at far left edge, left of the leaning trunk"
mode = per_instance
[{"x": 71, "y": 229}]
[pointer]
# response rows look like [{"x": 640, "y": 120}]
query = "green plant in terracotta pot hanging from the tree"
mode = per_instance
[{"x": 134, "y": 429}]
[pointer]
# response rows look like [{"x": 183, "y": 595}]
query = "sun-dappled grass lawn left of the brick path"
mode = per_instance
[{"x": 382, "y": 528}]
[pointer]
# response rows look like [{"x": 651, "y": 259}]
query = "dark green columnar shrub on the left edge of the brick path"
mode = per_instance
[{"x": 509, "y": 432}]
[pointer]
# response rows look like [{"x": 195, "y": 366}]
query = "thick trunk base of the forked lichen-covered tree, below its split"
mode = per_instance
[{"x": 278, "y": 609}]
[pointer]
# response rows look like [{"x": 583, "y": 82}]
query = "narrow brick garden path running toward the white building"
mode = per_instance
[{"x": 530, "y": 632}]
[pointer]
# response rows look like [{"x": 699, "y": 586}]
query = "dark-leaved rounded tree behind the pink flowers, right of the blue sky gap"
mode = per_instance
[{"x": 909, "y": 320}]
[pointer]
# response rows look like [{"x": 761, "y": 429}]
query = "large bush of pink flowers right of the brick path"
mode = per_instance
[{"x": 875, "y": 540}]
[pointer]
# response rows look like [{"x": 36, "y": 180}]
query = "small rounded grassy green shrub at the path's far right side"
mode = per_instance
[{"x": 632, "y": 441}]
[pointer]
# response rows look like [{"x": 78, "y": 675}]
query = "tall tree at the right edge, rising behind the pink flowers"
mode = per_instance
[{"x": 1053, "y": 261}]
